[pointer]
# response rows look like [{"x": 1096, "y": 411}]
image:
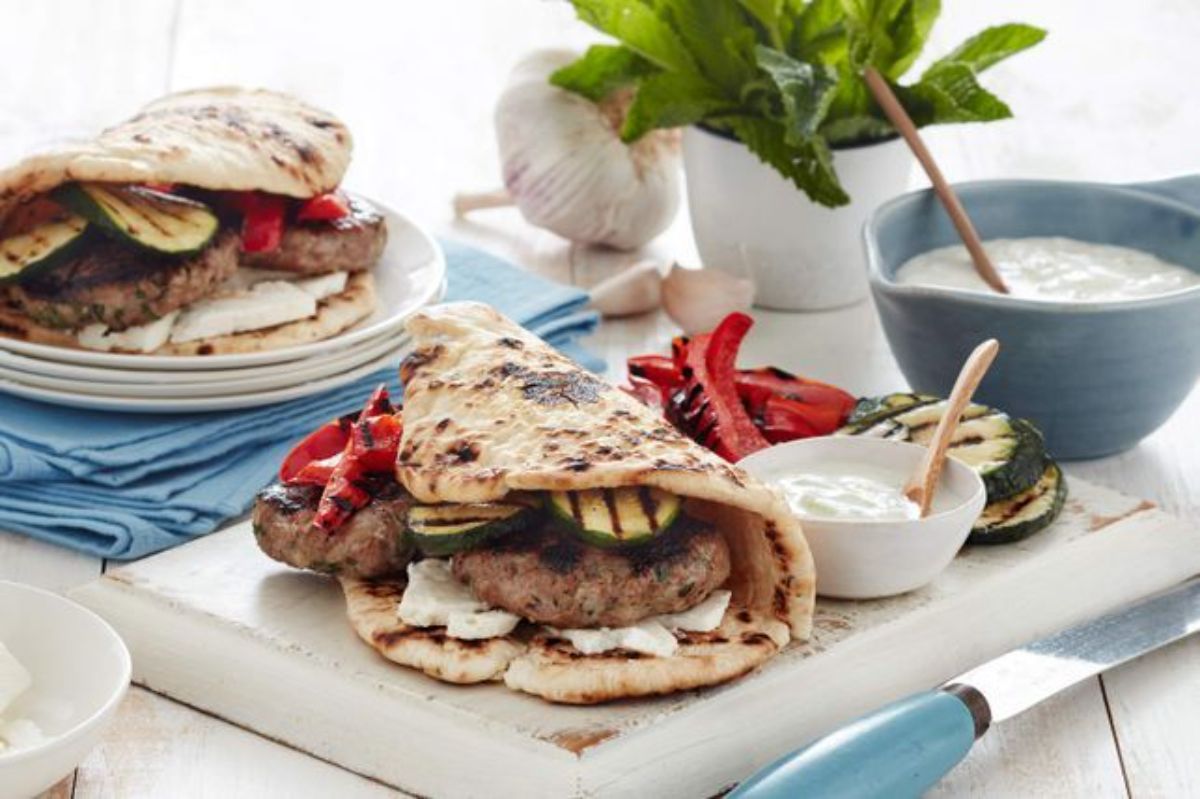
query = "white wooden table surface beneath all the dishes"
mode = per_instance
[{"x": 1108, "y": 97}]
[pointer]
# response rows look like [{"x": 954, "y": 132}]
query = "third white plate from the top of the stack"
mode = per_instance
[{"x": 251, "y": 382}]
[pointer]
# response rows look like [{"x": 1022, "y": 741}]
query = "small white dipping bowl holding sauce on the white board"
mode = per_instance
[{"x": 873, "y": 558}]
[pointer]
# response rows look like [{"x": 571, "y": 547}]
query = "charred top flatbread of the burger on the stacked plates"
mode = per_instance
[{"x": 220, "y": 139}]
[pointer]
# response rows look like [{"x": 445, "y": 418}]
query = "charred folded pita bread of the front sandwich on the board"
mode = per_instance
[{"x": 489, "y": 410}]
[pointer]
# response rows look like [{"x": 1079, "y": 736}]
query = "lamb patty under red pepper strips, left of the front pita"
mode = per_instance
[{"x": 371, "y": 544}]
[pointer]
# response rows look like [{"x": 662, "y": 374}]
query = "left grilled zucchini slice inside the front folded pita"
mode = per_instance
[{"x": 441, "y": 531}]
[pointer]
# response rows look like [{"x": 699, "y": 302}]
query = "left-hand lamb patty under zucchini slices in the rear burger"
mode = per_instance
[{"x": 122, "y": 286}]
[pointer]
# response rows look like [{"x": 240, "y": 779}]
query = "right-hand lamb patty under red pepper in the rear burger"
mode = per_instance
[{"x": 352, "y": 244}]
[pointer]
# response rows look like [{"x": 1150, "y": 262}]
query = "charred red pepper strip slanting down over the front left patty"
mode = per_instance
[{"x": 371, "y": 448}]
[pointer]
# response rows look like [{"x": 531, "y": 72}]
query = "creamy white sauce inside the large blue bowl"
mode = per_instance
[{"x": 1054, "y": 269}]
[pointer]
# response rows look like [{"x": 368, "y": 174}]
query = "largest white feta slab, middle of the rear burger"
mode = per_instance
[{"x": 265, "y": 305}]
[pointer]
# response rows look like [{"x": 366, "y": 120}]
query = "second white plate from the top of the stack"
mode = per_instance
[{"x": 26, "y": 367}]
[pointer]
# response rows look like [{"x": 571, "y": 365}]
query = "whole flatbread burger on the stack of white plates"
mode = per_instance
[{"x": 212, "y": 223}]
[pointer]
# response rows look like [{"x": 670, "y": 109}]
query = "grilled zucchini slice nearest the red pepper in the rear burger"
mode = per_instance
[{"x": 157, "y": 221}]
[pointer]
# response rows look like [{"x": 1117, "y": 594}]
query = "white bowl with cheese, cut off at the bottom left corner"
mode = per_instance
[{"x": 81, "y": 671}]
